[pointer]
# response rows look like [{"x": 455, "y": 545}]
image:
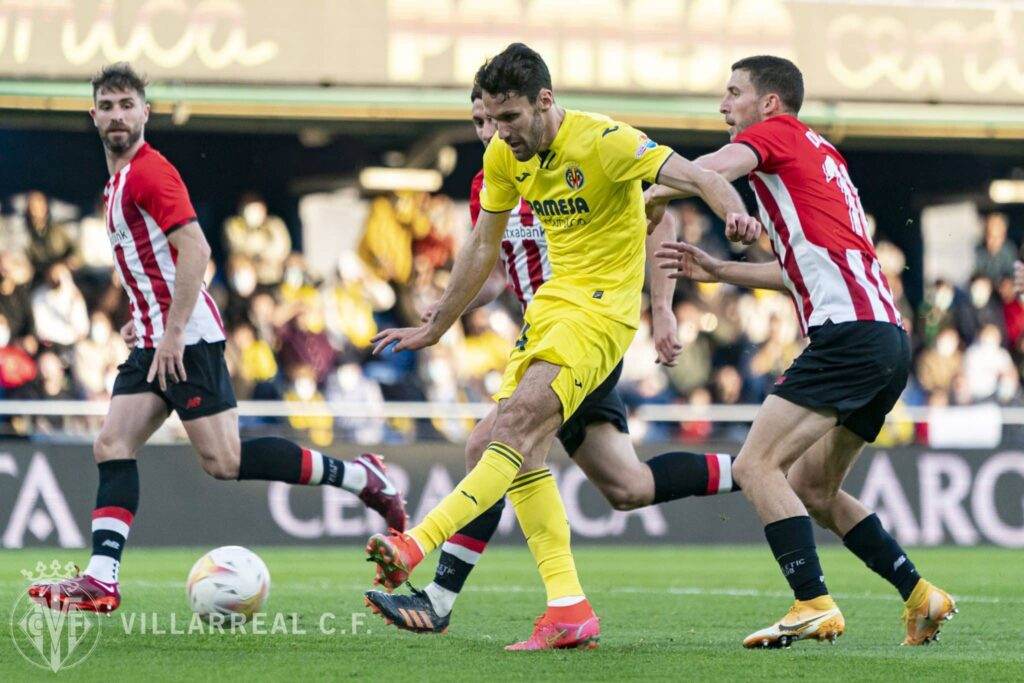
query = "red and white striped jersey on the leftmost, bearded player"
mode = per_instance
[{"x": 145, "y": 202}]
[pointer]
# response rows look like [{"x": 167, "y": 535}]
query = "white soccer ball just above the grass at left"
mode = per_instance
[{"x": 232, "y": 582}]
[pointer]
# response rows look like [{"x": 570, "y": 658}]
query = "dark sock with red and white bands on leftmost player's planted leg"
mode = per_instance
[{"x": 117, "y": 502}]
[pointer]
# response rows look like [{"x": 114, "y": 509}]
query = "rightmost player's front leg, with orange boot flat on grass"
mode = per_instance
[{"x": 782, "y": 433}]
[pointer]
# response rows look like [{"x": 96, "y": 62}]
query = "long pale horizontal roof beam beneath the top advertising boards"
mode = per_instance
[{"x": 340, "y": 107}]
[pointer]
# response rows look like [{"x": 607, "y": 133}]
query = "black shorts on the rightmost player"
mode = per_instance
[{"x": 858, "y": 369}]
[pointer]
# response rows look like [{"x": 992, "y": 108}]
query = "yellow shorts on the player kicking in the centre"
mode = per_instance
[{"x": 586, "y": 345}]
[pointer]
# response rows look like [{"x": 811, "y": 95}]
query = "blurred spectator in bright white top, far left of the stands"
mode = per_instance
[{"x": 59, "y": 310}]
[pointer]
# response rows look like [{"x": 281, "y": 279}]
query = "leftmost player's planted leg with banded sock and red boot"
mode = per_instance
[{"x": 131, "y": 421}]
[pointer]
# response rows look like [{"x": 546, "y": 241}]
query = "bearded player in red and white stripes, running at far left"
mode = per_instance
[{"x": 178, "y": 360}]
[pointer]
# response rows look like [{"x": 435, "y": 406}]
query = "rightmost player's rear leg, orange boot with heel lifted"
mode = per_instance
[{"x": 817, "y": 478}]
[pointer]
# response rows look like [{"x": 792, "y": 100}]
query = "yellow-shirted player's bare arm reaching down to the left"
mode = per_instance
[{"x": 473, "y": 266}]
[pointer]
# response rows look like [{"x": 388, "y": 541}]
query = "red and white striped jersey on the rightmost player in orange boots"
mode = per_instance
[{"x": 818, "y": 226}]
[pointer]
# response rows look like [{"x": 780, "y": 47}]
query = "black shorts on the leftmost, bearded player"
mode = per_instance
[{"x": 207, "y": 392}]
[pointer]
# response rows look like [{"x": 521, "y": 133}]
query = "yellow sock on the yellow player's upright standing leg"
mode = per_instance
[{"x": 542, "y": 517}]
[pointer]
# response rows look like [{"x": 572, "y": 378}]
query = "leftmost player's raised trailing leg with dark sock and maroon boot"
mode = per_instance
[{"x": 225, "y": 456}]
